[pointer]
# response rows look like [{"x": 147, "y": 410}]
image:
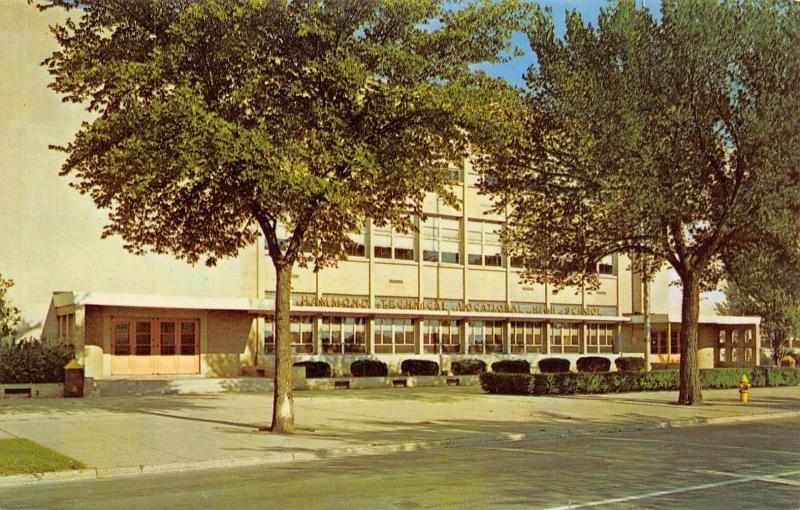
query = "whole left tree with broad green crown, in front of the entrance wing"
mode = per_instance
[{"x": 219, "y": 121}]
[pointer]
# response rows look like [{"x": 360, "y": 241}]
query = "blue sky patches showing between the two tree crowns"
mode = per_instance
[{"x": 589, "y": 9}]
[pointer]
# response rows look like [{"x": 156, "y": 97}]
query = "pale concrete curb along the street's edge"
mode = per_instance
[{"x": 374, "y": 449}]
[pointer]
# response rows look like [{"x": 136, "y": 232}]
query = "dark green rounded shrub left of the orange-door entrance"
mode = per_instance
[{"x": 33, "y": 360}]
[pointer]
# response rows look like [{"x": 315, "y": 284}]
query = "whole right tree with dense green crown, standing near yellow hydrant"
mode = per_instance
[{"x": 675, "y": 137}]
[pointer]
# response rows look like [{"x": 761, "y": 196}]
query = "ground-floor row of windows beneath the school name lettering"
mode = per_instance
[{"x": 347, "y": 335}]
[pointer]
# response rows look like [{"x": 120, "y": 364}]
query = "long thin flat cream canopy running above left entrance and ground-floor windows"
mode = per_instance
[{"x": 266, "y": 307}]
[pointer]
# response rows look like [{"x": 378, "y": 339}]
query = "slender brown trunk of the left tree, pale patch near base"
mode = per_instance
[{"x": 283, "y": 402}]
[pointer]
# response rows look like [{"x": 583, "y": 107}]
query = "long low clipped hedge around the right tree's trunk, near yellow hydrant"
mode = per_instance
[{"x": 620, "y": 382}]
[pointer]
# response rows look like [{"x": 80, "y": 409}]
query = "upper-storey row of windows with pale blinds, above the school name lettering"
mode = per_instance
[{"x": 441, "y": 242}]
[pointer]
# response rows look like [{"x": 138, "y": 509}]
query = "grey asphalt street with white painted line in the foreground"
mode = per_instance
[{"x": 754, "y": 465}]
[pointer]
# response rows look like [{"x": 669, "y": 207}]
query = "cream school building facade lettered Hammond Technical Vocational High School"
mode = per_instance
[{"x": 445, "y": 292}]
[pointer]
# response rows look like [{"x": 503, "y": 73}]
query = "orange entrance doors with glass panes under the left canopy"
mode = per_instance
[{"x": 155, "y": 346}]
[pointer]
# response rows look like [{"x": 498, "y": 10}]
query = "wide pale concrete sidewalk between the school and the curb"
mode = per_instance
[{"x": 131, "y": 435}]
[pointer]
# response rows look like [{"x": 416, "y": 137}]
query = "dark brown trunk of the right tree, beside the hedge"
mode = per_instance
[{"x": 690, "y": 315}]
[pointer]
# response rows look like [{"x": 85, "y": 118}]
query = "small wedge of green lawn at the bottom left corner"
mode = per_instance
[{"x": 20, "y": 456}]
